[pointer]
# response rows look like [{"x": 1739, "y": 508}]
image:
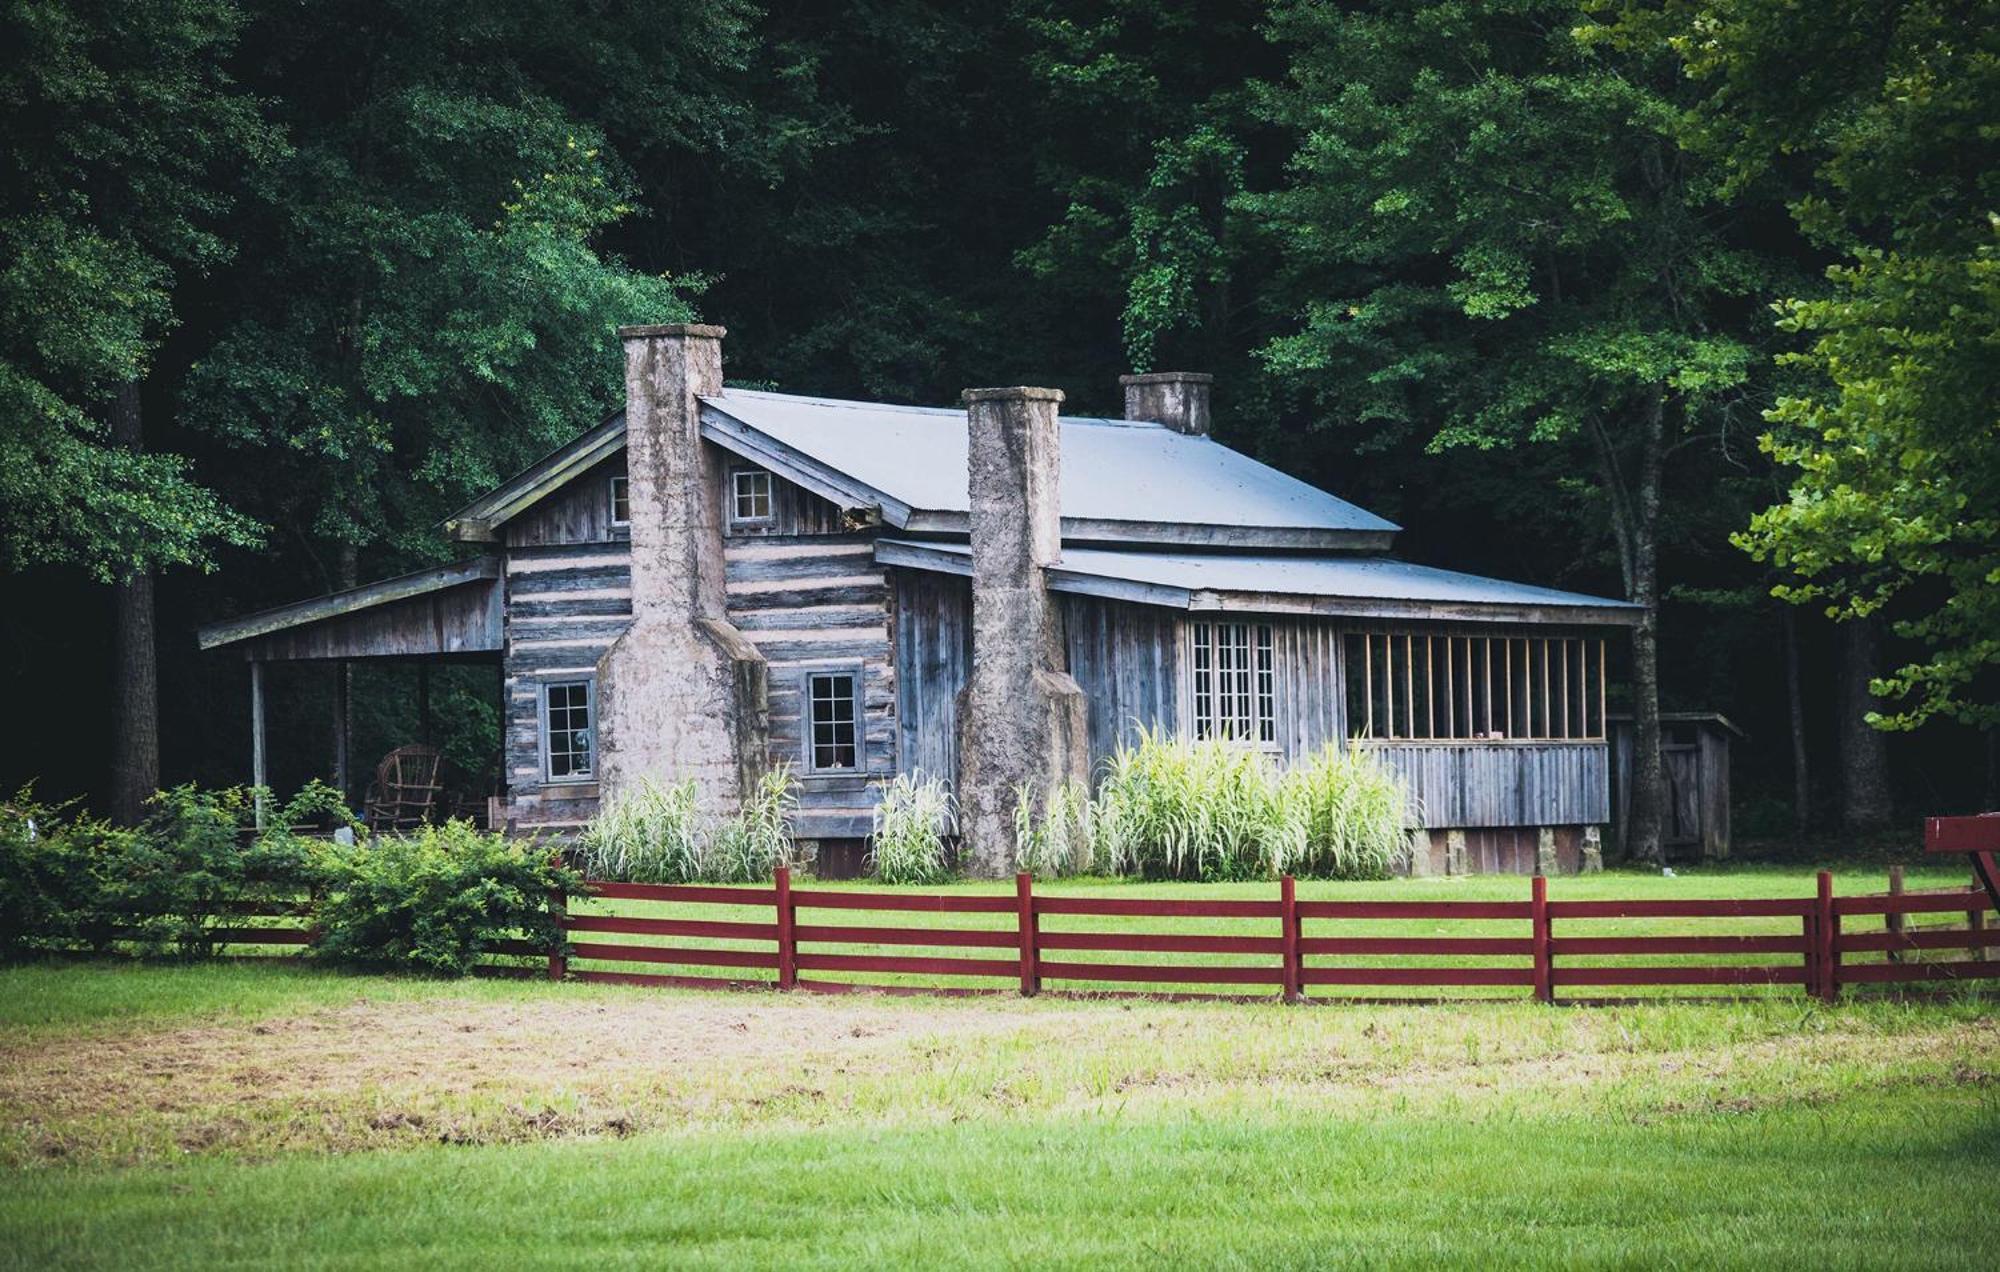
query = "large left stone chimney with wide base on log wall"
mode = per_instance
[{"x": 681, "y": 695}]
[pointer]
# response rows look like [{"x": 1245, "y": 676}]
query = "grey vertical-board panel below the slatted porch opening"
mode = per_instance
[{"x": 1503, "y": 783}]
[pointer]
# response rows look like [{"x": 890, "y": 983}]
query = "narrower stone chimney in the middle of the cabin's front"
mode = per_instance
[{"x": 1021, "y": 717}]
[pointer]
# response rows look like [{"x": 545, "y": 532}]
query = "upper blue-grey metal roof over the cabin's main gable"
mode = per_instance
[{"x": 1113, "y": 471}]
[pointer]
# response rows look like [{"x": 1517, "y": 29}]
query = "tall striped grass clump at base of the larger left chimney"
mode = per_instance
[{"x": 661, "y": 835}]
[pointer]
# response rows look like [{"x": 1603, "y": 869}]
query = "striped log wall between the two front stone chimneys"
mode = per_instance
[{"x": 819, "y": 603}]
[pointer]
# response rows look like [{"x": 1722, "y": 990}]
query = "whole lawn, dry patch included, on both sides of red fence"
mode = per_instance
[{"x": 275, "y": 1115}]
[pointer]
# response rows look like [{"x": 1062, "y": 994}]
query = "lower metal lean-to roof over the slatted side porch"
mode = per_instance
[{"x": 1361, "y": 587}]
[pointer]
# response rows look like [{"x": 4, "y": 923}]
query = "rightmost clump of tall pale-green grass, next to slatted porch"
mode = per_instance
[{"x": 1351, "y": 807}]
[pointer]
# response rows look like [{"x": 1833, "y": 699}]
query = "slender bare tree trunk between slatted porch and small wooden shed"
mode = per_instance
[{"x": 1645, "y": 827}]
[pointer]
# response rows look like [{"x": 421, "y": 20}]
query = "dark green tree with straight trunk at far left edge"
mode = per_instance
[{"x": 125, "y": 145}]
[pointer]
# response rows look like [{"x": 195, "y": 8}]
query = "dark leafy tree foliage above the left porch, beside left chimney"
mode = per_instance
[{"x": 425, "y": 305}]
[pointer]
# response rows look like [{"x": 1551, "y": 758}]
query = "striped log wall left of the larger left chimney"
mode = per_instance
[{"x": 565, "y": 607}]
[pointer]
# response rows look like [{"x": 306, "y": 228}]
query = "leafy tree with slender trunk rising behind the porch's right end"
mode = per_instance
[{"x": 1491, "y": 241}]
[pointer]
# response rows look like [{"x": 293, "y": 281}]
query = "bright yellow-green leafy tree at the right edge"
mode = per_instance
[{"x": 1887, "y": 117}]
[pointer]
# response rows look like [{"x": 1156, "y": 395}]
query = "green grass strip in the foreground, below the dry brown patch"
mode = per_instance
[{"x": 1889, "y": 1181}]
